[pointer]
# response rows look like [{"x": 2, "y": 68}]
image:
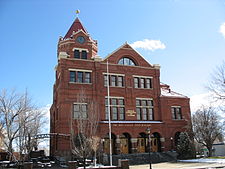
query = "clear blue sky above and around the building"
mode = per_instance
[{"x": 188, "y": 29}]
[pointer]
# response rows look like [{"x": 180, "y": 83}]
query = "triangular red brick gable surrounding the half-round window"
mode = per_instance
[{"x": 128, "y": 52}]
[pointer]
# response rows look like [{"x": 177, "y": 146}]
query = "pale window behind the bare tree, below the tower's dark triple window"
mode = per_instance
[{"x": 80, "y": 111}]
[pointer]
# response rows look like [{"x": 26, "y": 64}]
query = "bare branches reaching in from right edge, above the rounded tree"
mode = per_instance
[{"x": 217, "y": 84}]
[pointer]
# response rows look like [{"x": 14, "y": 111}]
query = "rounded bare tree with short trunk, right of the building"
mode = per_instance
[{"x": 207, "y": 127}]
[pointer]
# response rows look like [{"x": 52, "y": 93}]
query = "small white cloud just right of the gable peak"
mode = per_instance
[{"x": 149, "y": 44}]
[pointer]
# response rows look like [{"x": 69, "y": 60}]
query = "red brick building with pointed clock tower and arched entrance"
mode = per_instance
[{"x": 137, "y": 98}]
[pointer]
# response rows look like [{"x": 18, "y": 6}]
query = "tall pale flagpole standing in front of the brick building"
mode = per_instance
[{"x": 109, "y": 117}]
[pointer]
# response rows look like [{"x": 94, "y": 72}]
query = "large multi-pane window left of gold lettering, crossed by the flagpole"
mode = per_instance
[{"x": 117, "y": 108}]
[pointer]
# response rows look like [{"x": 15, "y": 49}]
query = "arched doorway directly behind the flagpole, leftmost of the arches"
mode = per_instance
[{"x": 106, "y": 143}]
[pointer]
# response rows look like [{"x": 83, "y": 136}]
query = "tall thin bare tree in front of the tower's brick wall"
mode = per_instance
[{"x": 84, "y": 124}]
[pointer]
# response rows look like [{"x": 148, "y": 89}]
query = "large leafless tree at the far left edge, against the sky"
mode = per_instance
[{"x": 18, "y": 117}]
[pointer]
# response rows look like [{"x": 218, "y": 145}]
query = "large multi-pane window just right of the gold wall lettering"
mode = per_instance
[{"x": 144, "y": 109}]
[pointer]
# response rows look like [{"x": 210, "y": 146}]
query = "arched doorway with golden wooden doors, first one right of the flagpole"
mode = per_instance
[{"x": 125, "y": 143}]
